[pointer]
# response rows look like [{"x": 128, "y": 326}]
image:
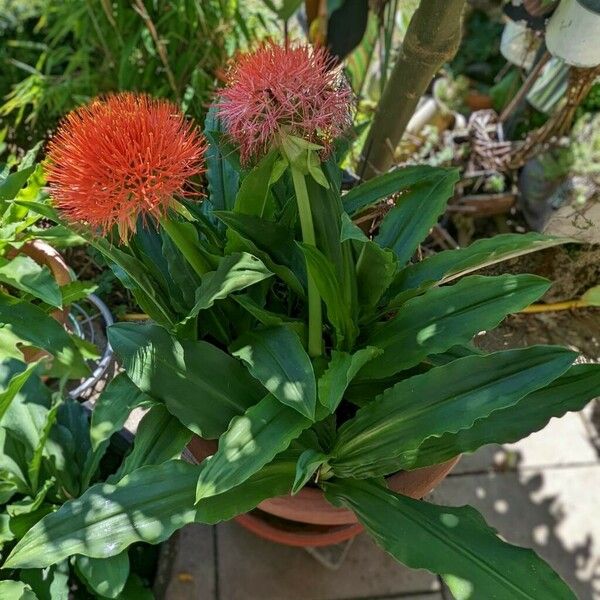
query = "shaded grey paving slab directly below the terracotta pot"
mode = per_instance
[{"x": 254, "y": 569}]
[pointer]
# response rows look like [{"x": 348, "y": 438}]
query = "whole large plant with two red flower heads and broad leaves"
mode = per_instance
[{"x": 318, "y": 356}]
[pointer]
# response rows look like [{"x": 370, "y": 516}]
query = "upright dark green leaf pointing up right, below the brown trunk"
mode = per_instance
[{"x": 415, "y": 213}]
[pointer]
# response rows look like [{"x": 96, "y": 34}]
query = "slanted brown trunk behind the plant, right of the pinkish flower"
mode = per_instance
[{"x": 432, "y": 38}]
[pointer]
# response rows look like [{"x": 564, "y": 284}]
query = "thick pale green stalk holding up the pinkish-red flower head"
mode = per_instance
[{"x": 315, "y": 316}]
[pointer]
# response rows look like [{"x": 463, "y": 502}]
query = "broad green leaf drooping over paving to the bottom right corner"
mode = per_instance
[{"x": 453, "y": 542}]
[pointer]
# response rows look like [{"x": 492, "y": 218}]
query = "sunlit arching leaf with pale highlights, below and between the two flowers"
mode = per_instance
[{"x": 235, "y": 272}]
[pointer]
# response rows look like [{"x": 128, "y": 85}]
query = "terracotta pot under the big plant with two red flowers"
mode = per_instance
[{"x": 307, "y": 519}]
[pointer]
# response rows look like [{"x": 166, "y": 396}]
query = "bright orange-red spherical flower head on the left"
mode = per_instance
[{"x": 122, "y": 157}]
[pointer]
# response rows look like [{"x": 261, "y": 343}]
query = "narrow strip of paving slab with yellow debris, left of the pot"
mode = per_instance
[{"x": 187, "y": 566}]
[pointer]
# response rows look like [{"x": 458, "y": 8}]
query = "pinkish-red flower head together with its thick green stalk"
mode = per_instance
[{"x": 291, "y": 99}]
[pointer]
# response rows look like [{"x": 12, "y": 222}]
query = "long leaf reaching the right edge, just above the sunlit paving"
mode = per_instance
[{"x": 570, "y": 392}]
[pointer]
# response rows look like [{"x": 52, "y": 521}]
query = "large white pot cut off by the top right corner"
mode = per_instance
[{"x": 573, "y": 32}]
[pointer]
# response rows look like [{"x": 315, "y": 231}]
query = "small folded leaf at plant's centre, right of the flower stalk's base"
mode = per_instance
[{"x": 341, "y": 370}]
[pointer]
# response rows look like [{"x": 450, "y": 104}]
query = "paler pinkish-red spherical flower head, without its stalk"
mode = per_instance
[{"x": 294, "y": 89}]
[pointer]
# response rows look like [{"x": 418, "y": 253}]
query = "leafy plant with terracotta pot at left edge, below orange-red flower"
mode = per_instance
[{"x": 36, "y": 285}]
